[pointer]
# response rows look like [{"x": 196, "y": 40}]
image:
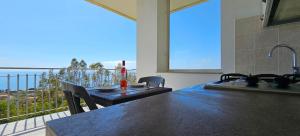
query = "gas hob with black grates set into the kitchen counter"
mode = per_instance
[{"x": 288, "y": 83}]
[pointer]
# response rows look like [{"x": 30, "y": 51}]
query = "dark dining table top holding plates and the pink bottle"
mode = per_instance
[{"x": 117, "y": 96}]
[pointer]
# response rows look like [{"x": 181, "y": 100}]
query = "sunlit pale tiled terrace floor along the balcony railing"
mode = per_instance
[{"x": 32, "y": 126}]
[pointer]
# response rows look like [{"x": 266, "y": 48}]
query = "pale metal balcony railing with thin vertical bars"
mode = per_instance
[{"x": 29, "y": 92}]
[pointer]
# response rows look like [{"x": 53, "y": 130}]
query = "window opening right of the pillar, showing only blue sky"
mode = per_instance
[{"x": 195, "y": 37}]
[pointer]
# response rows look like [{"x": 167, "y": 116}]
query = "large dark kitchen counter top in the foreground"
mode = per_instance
[{"x": 193, "y": 112}]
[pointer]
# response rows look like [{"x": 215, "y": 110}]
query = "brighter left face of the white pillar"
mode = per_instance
[{"x": 146, "y": 38}]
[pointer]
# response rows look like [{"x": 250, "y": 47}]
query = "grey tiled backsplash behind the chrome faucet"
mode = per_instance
[{"x": 253, "y": 43}]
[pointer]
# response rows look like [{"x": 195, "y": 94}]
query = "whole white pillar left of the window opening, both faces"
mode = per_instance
[{"x": 152, "y": 37}]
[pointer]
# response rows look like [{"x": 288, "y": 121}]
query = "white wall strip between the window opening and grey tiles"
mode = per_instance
[{"x": 231, "y": 11}]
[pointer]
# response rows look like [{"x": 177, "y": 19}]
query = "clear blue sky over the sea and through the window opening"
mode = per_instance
[{"x": 50, "y": 33}]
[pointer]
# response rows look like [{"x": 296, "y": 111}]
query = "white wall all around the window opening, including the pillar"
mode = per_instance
[{"x": 149, "y": 48}]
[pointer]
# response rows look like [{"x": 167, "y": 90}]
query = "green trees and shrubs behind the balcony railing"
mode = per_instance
[{"x": 48, "y": 96}]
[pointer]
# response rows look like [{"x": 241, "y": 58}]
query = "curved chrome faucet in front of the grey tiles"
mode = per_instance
[{"x": 296, "y": 69}]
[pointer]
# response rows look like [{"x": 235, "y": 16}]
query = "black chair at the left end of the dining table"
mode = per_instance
[{"x": 73, "y": 94}]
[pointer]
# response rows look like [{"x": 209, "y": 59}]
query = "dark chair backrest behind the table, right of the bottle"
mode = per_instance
[{"x": 153, "y": 81}]
